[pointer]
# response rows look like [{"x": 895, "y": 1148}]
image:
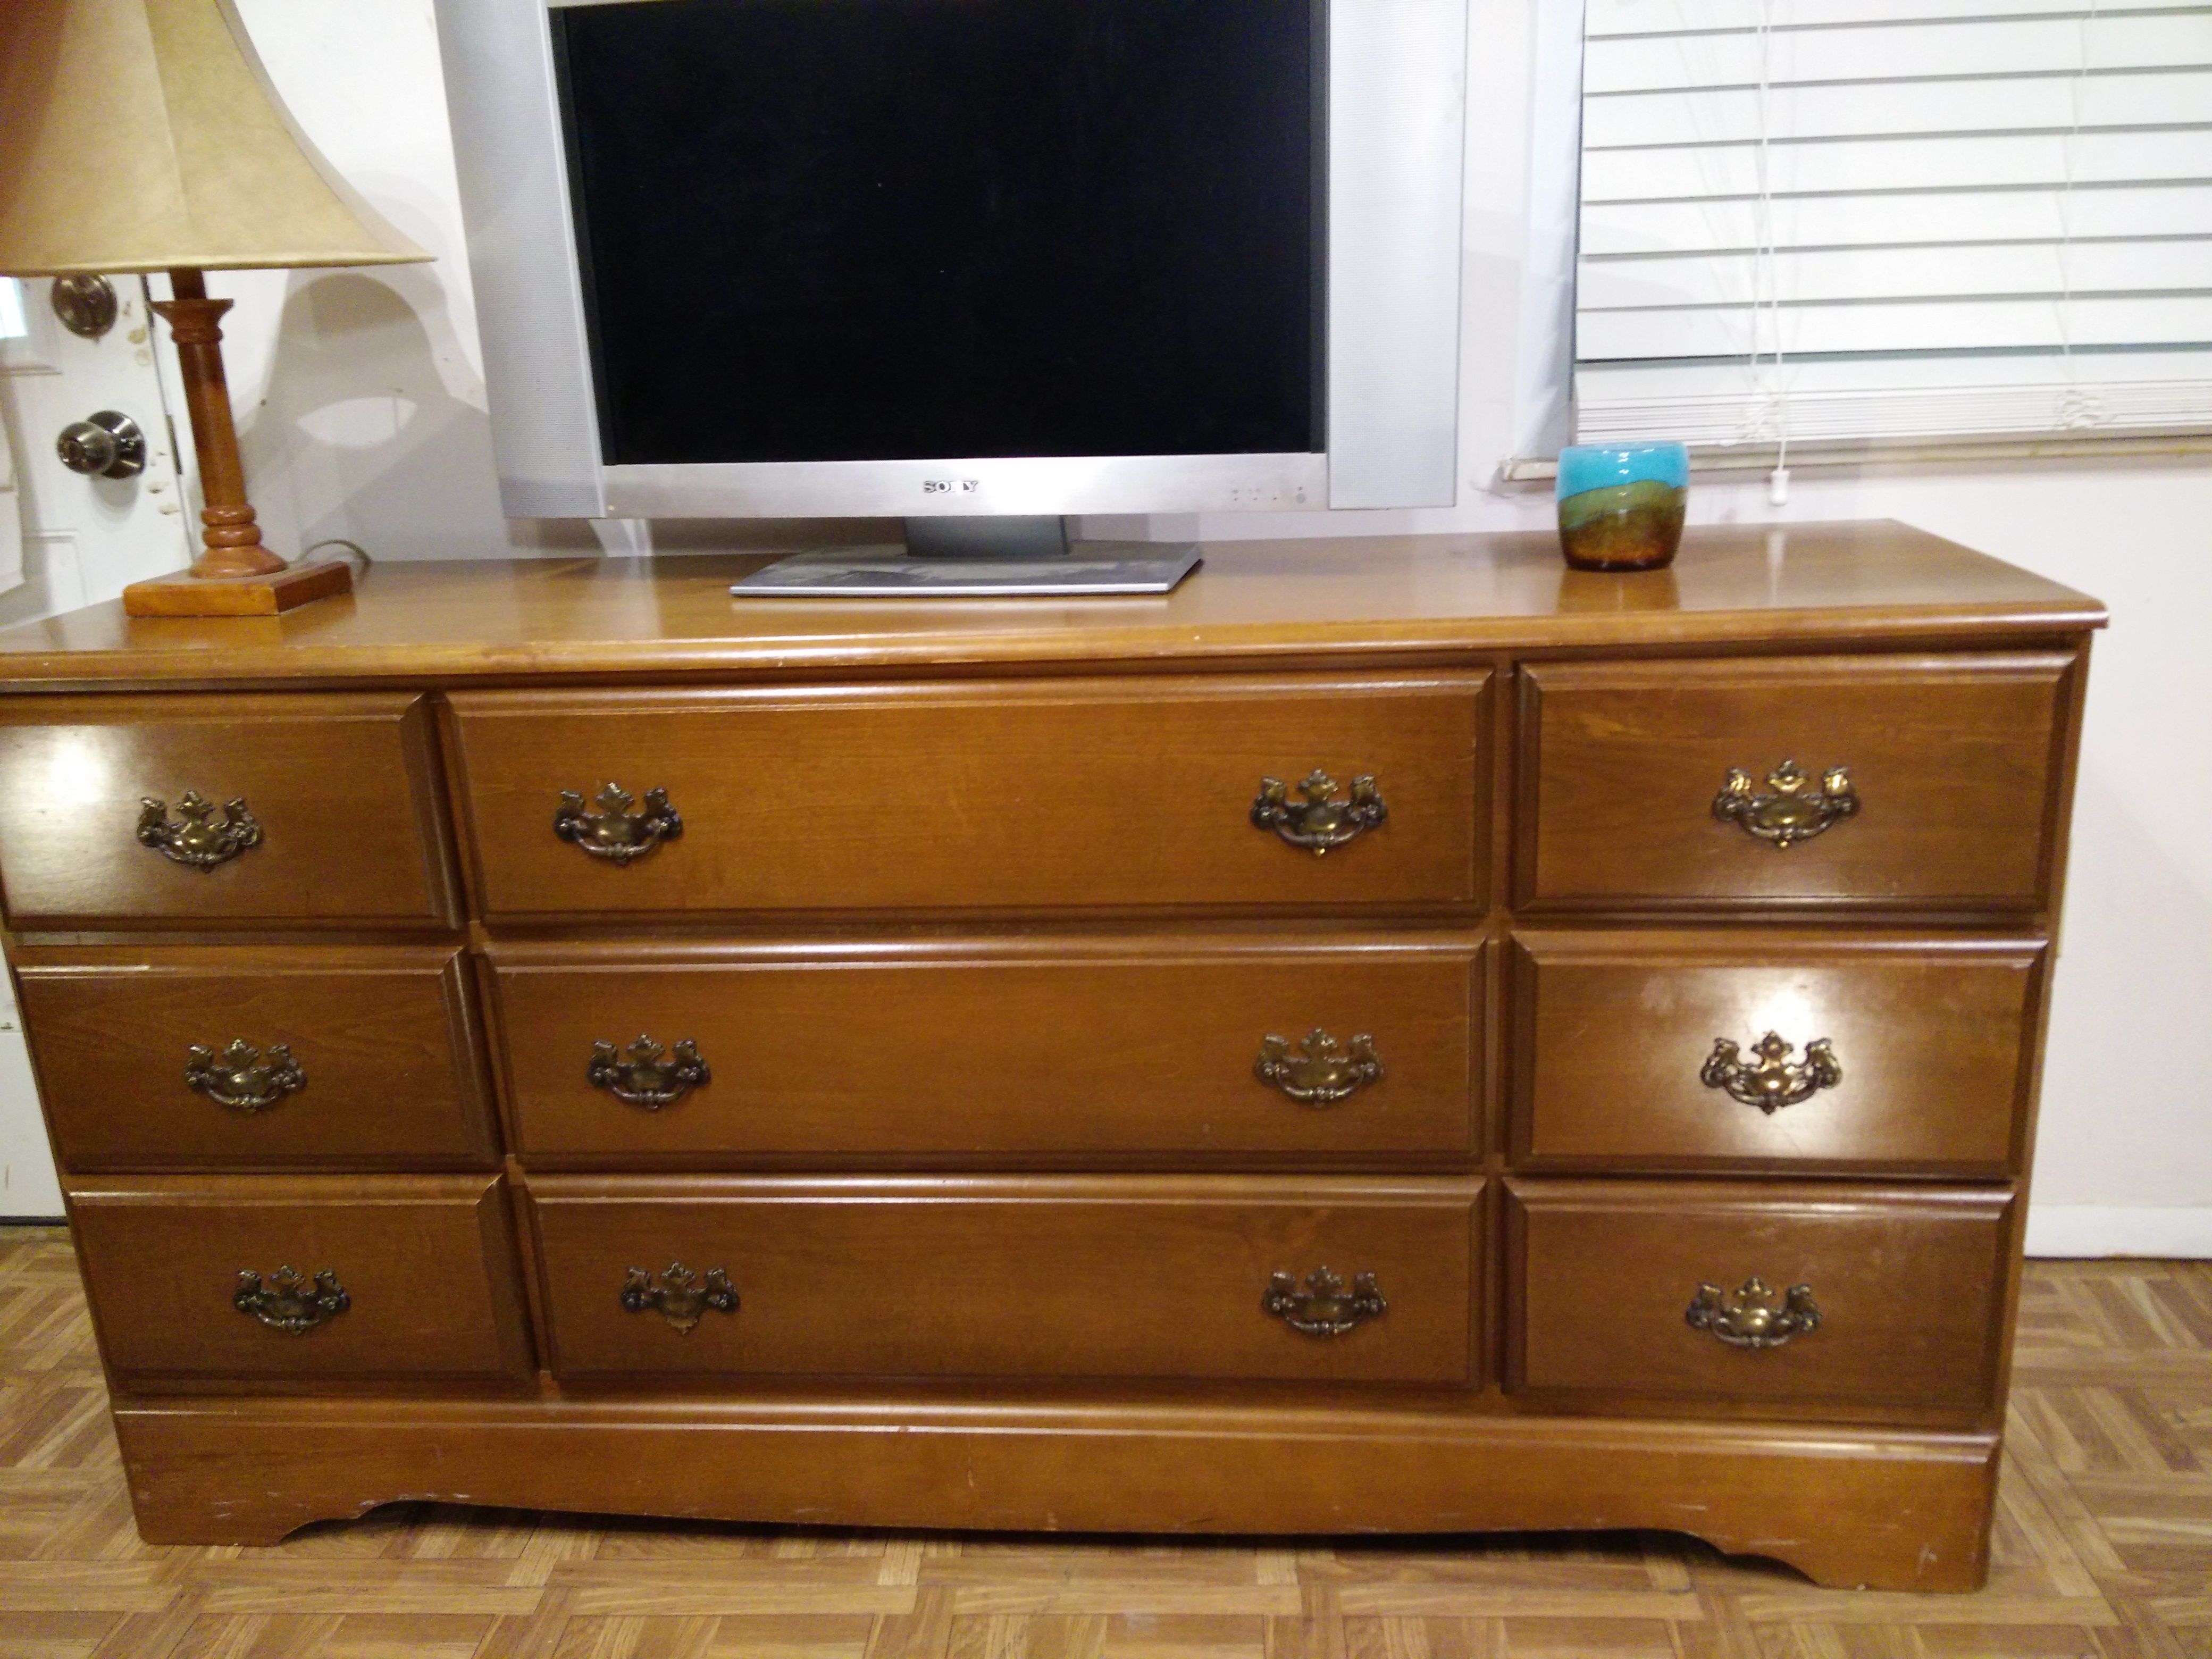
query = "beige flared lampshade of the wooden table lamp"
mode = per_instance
[{"x": 147, "y": 136}]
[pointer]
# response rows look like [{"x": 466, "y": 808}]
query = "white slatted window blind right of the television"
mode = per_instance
[{"x": 1841, "y": 222}]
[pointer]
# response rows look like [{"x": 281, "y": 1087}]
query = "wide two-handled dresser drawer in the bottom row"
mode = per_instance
[{"x": 1010, "y": 1277}]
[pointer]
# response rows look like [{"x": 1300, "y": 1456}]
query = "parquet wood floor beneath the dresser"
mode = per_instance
[{"x": 2105, "y": 1550}]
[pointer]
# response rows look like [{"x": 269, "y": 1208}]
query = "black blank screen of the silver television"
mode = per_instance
[{"x": 928, "y": 229}]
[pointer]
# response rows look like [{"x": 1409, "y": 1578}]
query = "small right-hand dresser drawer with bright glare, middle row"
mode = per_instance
[{"x": 1620, "y": 1063}]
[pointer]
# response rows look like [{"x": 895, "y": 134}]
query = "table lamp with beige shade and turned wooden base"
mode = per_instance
[{"x": 209, "y": 174}]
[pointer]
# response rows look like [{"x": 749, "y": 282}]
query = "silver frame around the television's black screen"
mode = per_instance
[{"x": 1397, "y": 114}]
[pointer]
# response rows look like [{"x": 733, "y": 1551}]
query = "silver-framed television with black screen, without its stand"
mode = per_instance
[{"x": 963, "y": 258}]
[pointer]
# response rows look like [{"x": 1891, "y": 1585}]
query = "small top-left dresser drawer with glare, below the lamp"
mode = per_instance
[{"x": 121, "y": 808}]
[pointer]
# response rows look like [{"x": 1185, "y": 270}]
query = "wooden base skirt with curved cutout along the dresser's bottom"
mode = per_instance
[{"x": 1846, "y": 1507}]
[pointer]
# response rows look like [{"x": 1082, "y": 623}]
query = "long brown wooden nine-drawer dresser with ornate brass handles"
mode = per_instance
[{"x": 1395, "y": 1036}]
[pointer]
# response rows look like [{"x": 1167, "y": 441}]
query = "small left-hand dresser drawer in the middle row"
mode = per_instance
[{"x": 136, "y": 1061}]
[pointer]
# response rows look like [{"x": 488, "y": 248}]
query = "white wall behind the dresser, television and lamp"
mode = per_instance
[{"x": 364, "y": 415}]
